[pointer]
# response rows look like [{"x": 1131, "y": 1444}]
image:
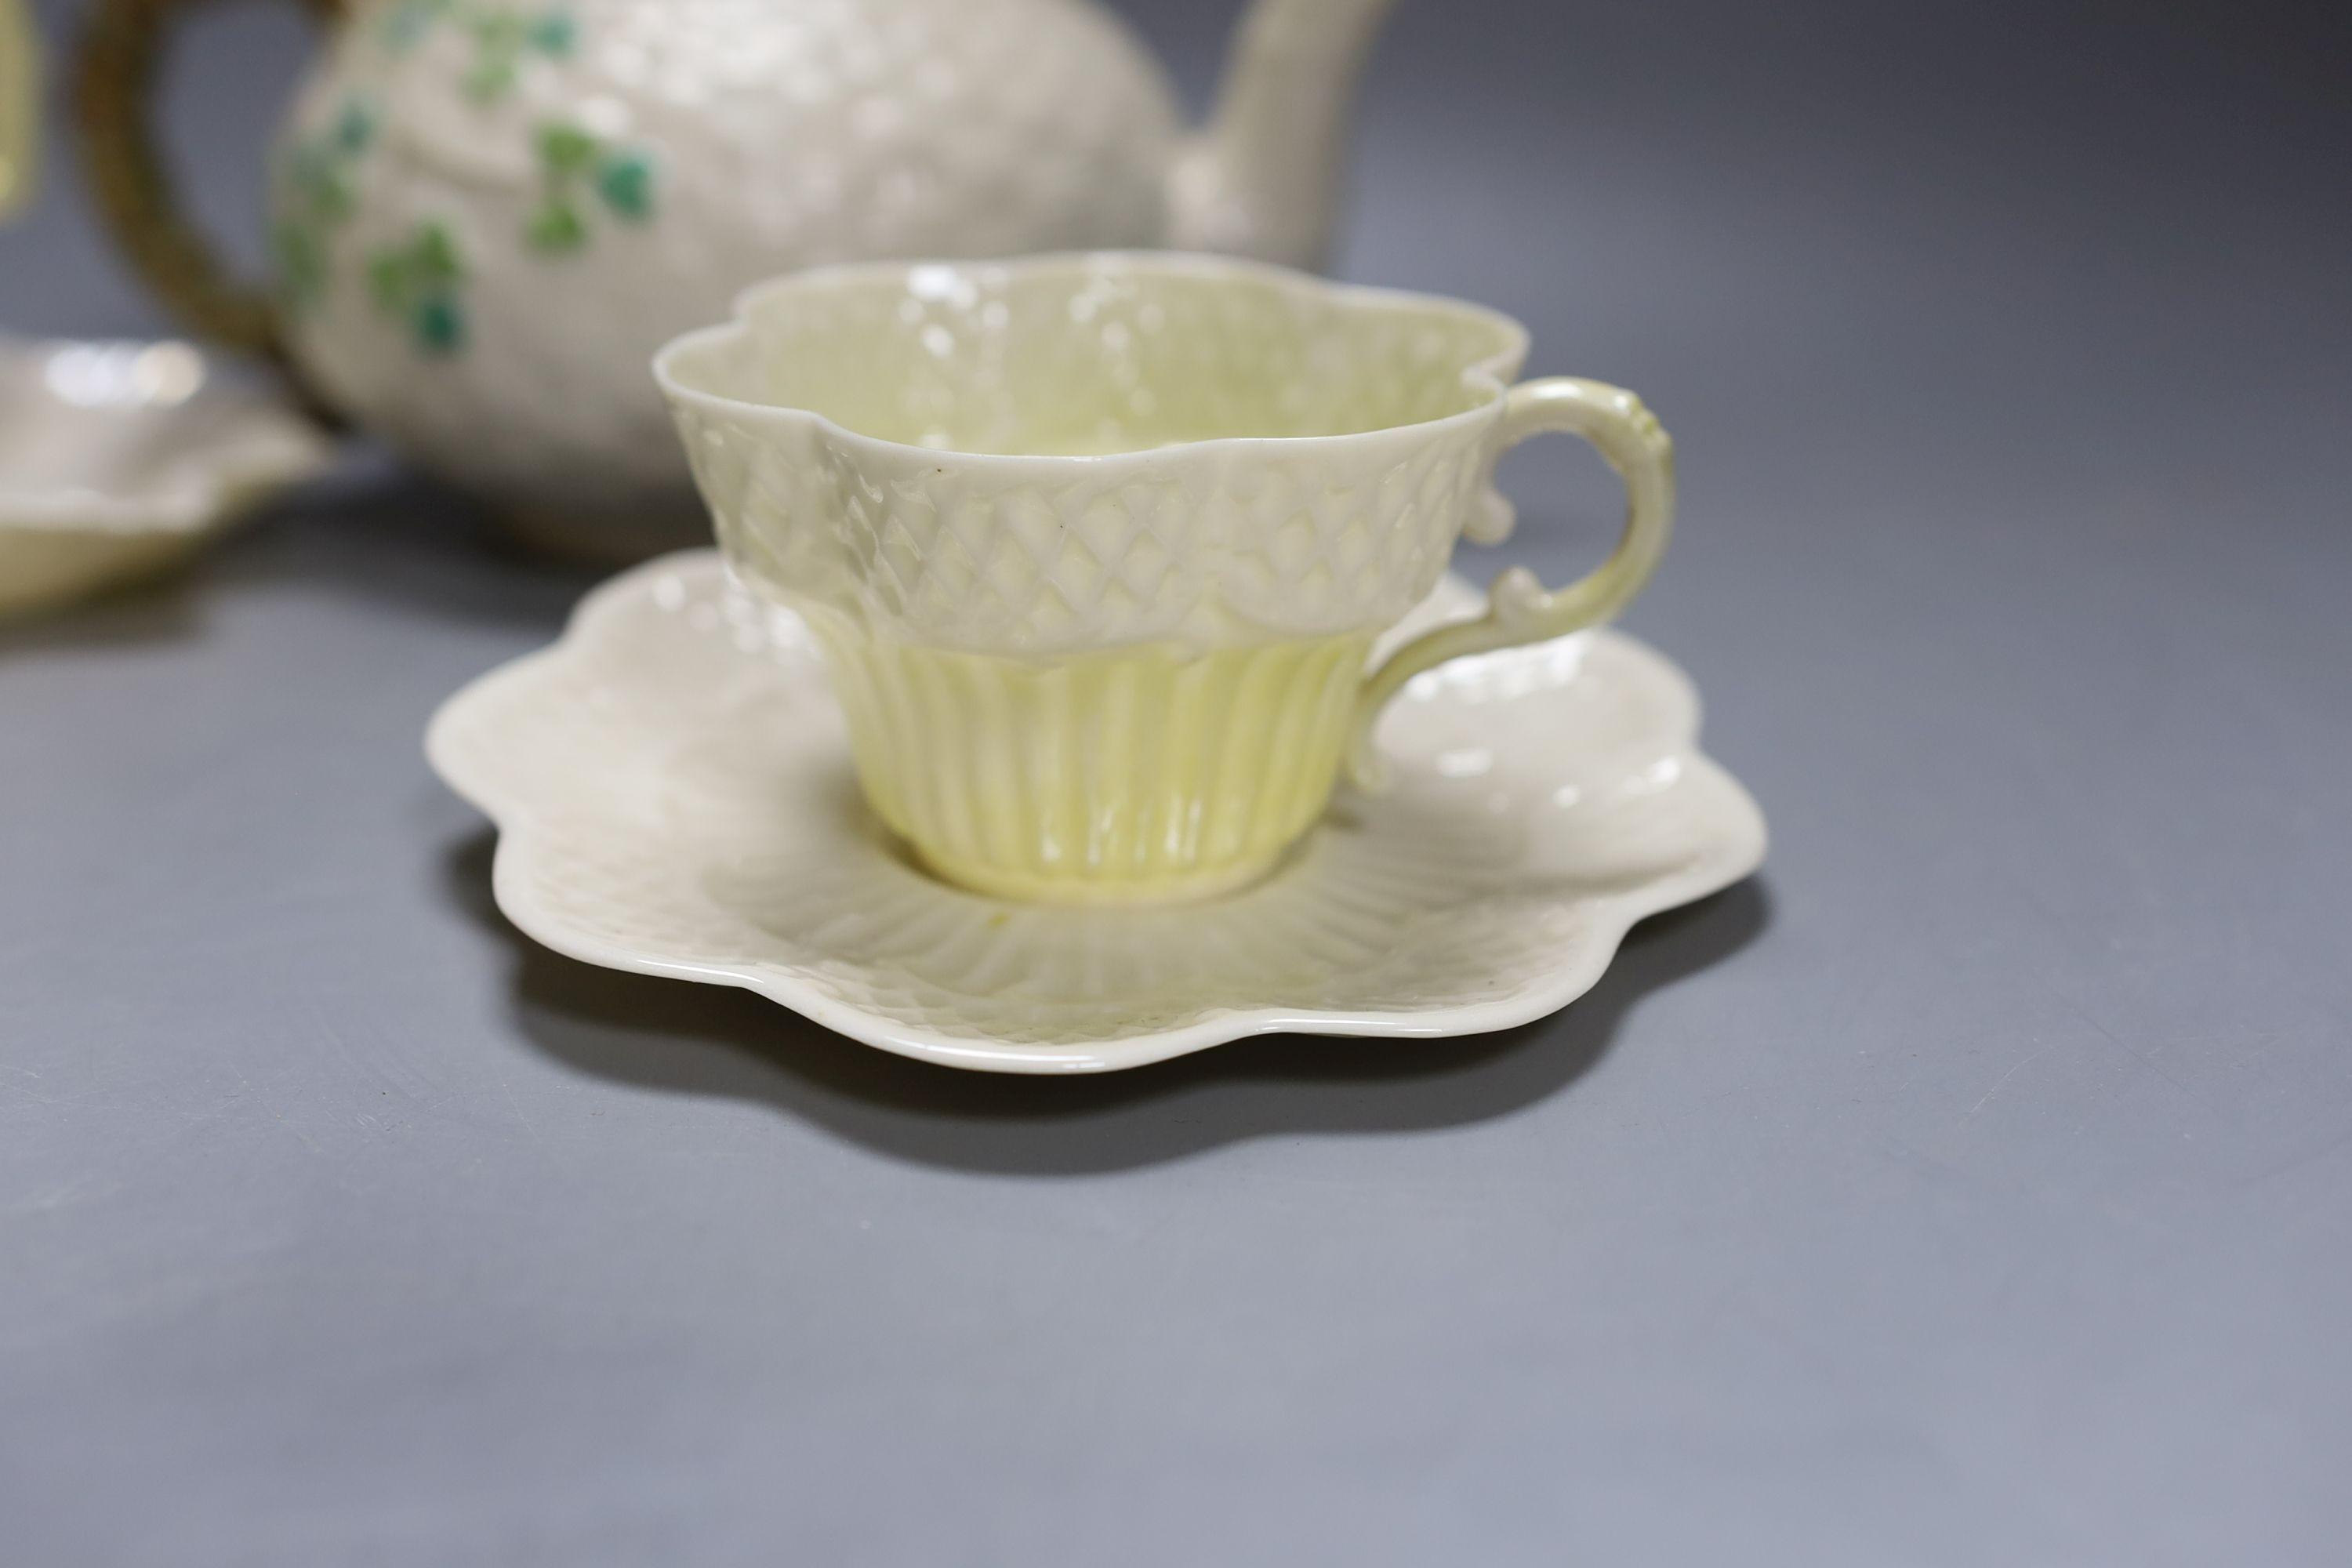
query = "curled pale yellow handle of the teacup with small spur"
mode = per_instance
[{"x": 1518, "y": 608}]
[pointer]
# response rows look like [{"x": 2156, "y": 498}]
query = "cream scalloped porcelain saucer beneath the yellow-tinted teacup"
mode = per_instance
[{"x": 674, "y": 796}]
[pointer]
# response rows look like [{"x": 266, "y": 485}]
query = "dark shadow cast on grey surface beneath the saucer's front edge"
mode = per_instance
[{"x": 709, "y": 1040}]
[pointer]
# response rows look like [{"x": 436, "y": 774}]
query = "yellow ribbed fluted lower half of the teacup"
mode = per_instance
[{"x": 1118, "y": 775}]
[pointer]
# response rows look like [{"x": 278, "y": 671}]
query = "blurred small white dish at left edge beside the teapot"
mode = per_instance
[{"x": 116, "y": 460}]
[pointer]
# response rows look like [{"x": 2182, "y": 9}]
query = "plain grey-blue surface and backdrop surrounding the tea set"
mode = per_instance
[{"x": 1970, "y": 1188}]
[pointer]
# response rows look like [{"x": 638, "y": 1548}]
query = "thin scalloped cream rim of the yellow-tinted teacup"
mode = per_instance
[{"x": 1488, "y": 377}]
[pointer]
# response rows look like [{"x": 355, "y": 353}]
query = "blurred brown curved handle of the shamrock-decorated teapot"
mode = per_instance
[{"x": 114, "y": 100}]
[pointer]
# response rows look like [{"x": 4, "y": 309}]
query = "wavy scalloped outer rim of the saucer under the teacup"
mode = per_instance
[{"x": 1739, "y": 850}]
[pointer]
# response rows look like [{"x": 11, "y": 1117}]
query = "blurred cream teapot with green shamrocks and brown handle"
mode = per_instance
[{"x": 488, "y": 215}]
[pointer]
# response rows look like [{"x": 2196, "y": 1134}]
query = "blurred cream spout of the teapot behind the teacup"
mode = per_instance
[{"x": 1264, "y": 177}]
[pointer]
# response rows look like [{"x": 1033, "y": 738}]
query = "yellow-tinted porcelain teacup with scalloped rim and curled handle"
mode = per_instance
[{"x": 1097, "y": 547}]
